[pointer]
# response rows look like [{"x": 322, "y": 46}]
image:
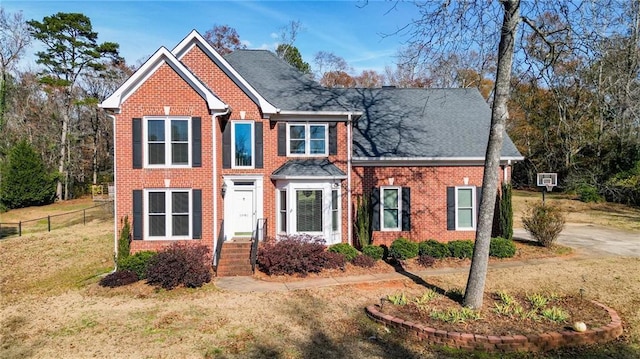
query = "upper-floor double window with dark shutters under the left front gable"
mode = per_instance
[{"x": 167, "y": 141}]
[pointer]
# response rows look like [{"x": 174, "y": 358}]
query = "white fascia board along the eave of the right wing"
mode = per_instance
[{"x": 426, "y": 161}]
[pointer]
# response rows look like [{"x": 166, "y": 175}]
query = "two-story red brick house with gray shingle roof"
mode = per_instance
[{"x": 210, "y": 147}]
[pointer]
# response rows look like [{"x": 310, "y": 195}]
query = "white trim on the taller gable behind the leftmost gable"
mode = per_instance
[{"x": 194, "y": 38}]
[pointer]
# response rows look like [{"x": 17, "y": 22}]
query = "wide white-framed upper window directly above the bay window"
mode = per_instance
[{"x": 307, "y": 139}]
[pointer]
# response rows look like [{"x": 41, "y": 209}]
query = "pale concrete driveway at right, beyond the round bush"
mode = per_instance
[{"x": 590, "y": 240}]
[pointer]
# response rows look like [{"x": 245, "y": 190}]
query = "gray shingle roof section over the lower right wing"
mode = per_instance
[{"x": 410, "y": 123}]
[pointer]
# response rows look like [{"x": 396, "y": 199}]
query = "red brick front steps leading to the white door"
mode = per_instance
[{"x": 235, "y": 258}]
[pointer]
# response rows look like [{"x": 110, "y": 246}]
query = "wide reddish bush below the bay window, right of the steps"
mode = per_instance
[{"x": 293, "y": 254}]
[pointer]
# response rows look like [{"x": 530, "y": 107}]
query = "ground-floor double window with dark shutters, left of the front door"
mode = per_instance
[{"x": 168, "y": 214}]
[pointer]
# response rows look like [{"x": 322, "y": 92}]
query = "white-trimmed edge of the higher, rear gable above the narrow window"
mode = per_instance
[{"x": 195, "y": 39}]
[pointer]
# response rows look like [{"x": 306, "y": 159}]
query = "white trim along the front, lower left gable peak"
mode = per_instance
[{"x": 145, "y": 71}]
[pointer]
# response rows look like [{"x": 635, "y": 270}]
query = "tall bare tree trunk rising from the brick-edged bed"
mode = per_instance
[{"x": 490, "y": 181}]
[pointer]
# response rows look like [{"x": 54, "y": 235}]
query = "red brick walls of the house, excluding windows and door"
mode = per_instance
[{"x": 166, "y": 90}]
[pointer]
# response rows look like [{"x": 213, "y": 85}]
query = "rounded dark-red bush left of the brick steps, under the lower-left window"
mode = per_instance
[{"x": 180, "y": 264}]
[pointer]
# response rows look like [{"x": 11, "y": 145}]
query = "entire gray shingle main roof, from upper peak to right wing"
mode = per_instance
[{"x": 396, "y": 123}]
